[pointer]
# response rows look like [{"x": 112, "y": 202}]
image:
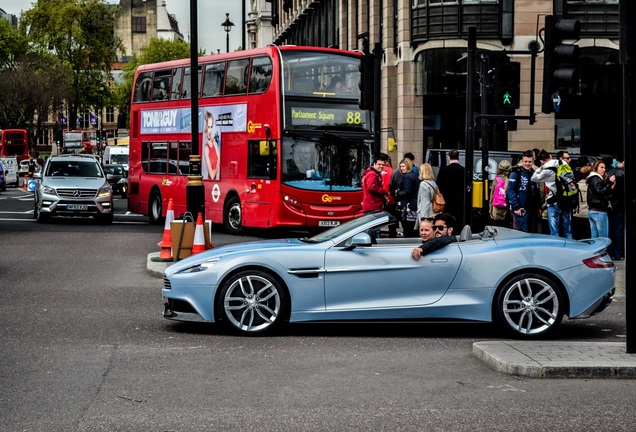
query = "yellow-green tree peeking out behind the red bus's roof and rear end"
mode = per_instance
[{"x": 158, "y": 50}]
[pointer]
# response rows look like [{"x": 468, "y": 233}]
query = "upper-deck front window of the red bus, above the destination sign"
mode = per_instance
[{"x": 318, "y": 74}]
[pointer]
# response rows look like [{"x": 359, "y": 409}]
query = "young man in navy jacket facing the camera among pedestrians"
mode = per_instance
[{"x": 523, "y": 195}]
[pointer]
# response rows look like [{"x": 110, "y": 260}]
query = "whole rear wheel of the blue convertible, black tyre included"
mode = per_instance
[{"x": 529, "y": 306}]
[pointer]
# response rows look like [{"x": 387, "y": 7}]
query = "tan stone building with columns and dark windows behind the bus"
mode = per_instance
[{"x": 423, "y": 45}]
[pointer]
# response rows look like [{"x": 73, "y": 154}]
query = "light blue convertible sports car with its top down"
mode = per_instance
[{"x": 523, "y": 282}]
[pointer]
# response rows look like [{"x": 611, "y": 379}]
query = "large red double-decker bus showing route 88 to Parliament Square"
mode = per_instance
[{"x": 283, "y": 141}]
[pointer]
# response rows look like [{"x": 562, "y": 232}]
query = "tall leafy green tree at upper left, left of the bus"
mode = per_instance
[{"x": 80, "y": 34}]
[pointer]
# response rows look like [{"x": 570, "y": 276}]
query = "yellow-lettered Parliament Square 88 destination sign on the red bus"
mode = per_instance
[{"x": 328, "y": 117}]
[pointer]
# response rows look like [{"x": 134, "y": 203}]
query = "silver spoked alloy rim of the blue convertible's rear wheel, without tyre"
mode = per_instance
[{"x": 530, "y": 305}]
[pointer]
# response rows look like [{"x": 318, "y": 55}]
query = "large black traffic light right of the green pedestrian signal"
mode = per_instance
[{"x": 560, "y": 61}]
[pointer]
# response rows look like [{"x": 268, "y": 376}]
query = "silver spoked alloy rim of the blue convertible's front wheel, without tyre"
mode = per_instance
[{"x": 252, "y": 303}]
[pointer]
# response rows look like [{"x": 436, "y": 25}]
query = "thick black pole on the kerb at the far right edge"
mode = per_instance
[{"x": 628, "y": 60}]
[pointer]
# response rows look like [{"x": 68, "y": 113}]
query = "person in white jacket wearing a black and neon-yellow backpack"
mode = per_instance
[{"x": 562, "y": 197}]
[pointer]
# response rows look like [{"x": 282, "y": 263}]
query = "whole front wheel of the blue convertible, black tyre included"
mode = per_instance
[{"x": 252, "y": 302}]
